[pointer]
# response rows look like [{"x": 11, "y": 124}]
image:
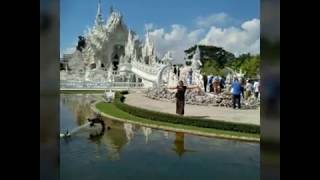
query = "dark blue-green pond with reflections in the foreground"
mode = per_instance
[{"x": 128, "y": 151}]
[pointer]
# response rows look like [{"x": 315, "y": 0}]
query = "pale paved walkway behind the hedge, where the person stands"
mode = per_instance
[{"x": 219, "y": 113}]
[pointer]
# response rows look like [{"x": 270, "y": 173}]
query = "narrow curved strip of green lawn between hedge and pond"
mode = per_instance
[{"x": 111, "y": 109}]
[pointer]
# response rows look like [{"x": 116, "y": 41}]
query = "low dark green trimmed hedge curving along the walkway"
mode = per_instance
[{"x": 171, "y": 118}]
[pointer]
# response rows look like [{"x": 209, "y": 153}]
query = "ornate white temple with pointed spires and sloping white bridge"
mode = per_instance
[{"x": 114, "y": 56}]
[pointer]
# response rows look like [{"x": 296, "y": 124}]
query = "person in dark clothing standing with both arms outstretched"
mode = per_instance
[{"x": 180, "y": 96}]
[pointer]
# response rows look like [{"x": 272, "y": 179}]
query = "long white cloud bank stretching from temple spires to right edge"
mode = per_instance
[{"x": 237, "y": 40}]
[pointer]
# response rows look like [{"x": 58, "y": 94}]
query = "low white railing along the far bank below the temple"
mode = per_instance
[{"x": 98, "y": 85}]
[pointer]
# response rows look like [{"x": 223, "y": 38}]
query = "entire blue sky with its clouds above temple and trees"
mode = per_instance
[{"x": 174, "y": 25}]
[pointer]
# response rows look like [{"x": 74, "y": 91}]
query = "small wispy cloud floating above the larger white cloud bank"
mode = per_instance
[{"x": 214, "y": 19}]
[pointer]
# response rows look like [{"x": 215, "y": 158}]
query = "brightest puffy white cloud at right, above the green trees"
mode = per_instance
[{"x": 237, "y": 40}]
